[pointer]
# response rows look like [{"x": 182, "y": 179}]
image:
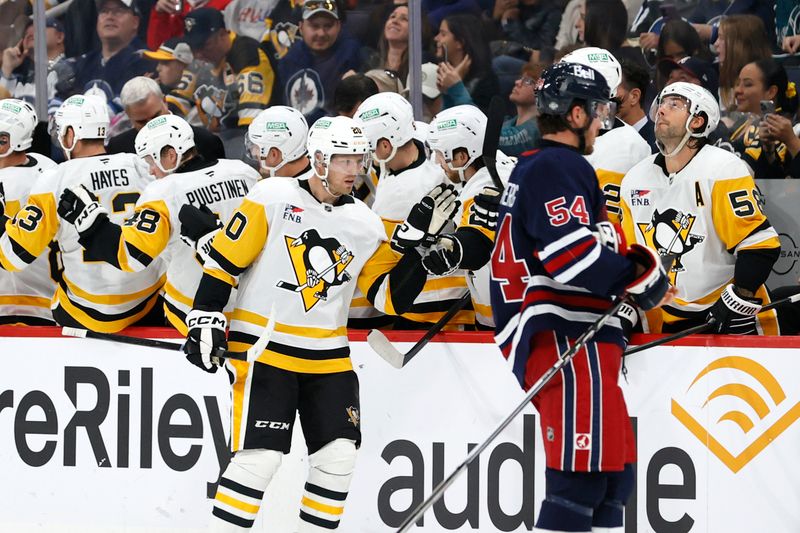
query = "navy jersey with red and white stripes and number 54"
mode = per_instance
[{"x": 549, "y": 272}]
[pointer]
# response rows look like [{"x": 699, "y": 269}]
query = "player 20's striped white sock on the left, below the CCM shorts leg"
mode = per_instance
[{"x": 241, "y": 489}]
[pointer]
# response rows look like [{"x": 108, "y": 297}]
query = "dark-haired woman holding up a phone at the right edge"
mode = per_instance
[{"x": 764, "y": 137}]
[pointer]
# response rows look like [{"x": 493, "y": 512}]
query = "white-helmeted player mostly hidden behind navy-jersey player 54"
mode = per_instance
[{"x": 619, "y": 146}]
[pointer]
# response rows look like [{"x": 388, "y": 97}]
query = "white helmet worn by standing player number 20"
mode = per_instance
[{"x": 331, "y": 136}]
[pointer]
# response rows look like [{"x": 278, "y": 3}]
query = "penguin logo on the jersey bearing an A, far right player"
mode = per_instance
[{"x": 669, "y": 232}]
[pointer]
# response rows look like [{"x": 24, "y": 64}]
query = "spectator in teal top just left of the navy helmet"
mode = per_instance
[{"x": 520, "y": 132}]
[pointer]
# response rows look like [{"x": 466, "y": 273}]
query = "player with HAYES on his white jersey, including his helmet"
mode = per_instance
[{"x": 91, "y": 294}]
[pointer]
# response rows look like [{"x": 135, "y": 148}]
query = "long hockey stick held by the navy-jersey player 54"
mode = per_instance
[{"x": 580, "y": 342}]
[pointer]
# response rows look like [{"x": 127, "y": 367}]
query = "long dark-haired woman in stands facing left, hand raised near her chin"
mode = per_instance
[{"x": 465, "y": 74}]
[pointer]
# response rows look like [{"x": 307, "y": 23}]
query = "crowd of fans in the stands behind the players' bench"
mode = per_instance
[{"x": 219, "y": 62}]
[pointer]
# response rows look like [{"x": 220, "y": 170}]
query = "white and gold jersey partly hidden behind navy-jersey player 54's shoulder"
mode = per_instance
[{"x": 615, "y": 152}]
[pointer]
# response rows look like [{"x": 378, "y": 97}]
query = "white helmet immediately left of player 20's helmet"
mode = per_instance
[{"x": 281, "y": 127}]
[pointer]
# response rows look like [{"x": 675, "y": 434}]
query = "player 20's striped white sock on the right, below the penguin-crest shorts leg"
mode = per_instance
[{"x": 331, "y": 469}]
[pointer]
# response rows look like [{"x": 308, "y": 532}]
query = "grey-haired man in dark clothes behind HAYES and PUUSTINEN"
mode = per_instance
[{"x": 144, "y": 101}]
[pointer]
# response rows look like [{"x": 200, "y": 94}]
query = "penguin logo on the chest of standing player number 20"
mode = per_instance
[{"x": 319, "y": 264}]
